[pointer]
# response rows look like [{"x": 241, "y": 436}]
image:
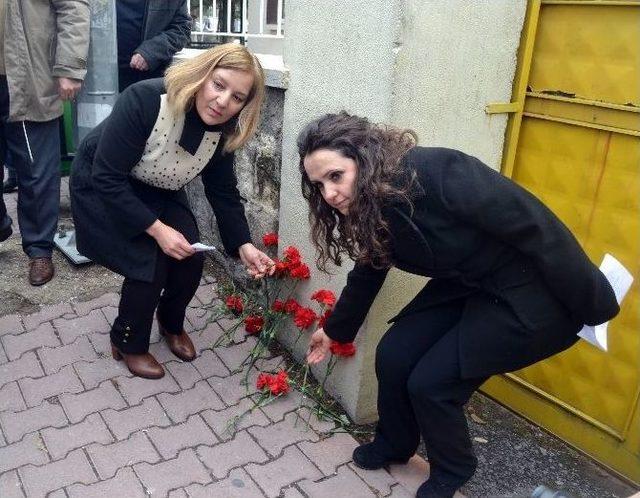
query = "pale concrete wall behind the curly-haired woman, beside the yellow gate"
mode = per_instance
[{"x": 431, "y": 65}]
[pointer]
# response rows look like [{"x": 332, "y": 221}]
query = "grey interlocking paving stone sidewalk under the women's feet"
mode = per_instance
[{"x": 75, "y": 423}]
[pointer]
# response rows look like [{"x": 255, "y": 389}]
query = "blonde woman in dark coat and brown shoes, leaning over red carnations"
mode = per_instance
[{"x": 130, "y": 210}]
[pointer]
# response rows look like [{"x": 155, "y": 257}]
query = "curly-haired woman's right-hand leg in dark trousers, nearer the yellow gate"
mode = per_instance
[{"x": 438, "y": 395}]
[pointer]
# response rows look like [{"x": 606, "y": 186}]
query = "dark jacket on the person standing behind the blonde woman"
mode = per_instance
[{"x": 166, "y": 29}]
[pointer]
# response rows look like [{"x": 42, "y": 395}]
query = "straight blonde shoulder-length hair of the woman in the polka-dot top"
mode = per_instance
[{"x": 184, "y": 79}]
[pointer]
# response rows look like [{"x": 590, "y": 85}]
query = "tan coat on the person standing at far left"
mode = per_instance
[{"x": 44, "y": 40}]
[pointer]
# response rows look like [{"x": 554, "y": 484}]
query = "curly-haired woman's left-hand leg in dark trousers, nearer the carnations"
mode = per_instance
[{"x": 400, "y": 349}]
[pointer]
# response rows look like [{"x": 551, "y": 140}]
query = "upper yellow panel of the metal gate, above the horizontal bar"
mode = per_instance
[{"x": 576, "y": 41}]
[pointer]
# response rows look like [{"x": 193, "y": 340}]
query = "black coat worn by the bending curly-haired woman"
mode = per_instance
[{"x": 474, "y": 232}]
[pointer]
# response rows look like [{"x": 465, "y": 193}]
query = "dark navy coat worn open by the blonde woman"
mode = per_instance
[{"x": 112, "y": 210}]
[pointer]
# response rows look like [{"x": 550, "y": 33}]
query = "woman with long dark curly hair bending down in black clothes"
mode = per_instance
[{"x": 509, "y": 286}]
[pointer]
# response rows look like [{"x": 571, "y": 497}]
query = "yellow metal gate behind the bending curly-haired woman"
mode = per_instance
[{"x": 574, "y": 140}]
